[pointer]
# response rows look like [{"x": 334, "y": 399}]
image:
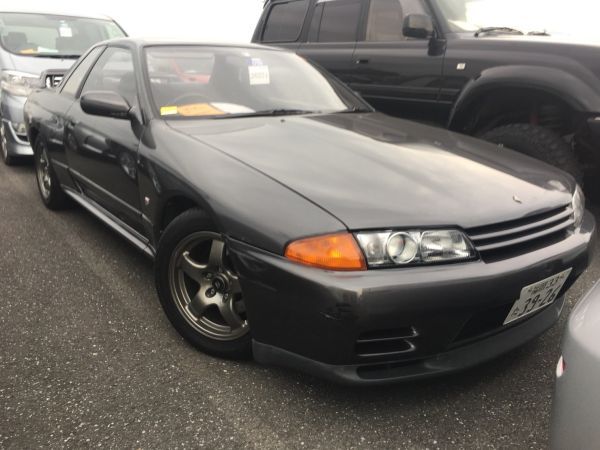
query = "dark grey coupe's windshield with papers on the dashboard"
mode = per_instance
[{"x": 225, "y": 82}]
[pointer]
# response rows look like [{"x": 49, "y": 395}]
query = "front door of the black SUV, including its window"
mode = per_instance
[{"x": 398, "y": 75}]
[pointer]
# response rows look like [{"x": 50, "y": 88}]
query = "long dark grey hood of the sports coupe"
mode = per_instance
[{"x": 373, "y": 171}]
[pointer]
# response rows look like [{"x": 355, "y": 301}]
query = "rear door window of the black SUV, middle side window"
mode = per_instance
[{"x": 335, "y": 21}]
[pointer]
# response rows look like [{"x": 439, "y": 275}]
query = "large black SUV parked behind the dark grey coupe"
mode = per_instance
[{"x": 428, "y": 60}]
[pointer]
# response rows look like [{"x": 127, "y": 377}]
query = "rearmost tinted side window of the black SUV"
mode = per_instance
[{"x": 285, "y": 21}]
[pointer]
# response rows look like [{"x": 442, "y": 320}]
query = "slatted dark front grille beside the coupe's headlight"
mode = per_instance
[{"x": 541, "y": 229}]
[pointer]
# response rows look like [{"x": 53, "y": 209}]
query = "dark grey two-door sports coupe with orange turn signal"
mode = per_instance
[{"x": 289, "y": 220}]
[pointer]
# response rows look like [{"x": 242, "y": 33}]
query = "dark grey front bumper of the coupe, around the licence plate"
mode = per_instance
[{"x": 389, "y": 325}]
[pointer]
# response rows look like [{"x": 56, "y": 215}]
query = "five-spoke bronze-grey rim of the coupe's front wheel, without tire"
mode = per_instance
[{"x": 205, "y": 289}]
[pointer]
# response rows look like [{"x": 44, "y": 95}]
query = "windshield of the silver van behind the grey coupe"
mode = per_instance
[{"x": 53, "y": 36}]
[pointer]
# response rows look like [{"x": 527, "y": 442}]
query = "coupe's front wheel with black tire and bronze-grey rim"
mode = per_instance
[{"x": 199, "y": 289}]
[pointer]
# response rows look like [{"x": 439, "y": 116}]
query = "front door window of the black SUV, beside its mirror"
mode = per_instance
[{"x": 386, "y": 19}]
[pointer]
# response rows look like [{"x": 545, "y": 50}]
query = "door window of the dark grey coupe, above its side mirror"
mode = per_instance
[{"x": 114, "y": 72}]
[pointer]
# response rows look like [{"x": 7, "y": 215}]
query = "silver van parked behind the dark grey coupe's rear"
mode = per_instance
[{"x": 31, "y": 43}]
